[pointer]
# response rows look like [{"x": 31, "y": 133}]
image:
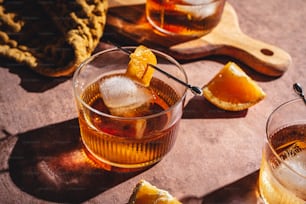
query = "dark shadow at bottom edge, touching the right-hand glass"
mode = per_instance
[{"x": 245, "y": 190}]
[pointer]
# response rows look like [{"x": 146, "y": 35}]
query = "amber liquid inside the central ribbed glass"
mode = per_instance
[{"x": 112, "y": 141}]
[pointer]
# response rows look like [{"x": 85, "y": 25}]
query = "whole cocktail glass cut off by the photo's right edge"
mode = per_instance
[{"x": 282, "y": 176}]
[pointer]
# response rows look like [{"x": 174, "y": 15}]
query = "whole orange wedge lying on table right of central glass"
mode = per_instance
[{"x": 232, "y": 89}]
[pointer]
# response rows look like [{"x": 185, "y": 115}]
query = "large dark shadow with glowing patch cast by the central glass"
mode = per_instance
[{"x": 49, "y": 163}]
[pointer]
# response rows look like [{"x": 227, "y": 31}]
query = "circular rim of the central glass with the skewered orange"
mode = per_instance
[{"x": 166, "y": 56}]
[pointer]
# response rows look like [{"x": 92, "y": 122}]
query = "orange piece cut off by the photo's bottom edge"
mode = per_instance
[{"x": 145, "y": 193}]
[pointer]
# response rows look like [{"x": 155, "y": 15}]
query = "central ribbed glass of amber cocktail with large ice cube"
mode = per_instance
[{"x": 134, "y": 129}]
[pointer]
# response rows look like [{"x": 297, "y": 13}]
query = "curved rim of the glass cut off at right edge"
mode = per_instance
[{"x": 267, "y": 134}]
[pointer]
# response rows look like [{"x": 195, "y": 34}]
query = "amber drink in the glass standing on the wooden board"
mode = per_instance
[{"x": 175, "y": 18}]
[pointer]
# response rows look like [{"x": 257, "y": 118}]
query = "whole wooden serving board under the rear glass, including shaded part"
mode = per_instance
[{"x": 225, "y": 39}]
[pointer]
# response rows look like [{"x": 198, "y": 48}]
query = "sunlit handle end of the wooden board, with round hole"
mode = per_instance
[{"x": 228, "y": 39}]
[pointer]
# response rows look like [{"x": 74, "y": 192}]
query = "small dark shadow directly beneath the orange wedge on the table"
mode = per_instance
[{"x": 199, "y": 107}]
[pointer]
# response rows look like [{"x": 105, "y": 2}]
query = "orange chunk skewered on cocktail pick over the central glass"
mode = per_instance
[{"x": 138, "y": 68}]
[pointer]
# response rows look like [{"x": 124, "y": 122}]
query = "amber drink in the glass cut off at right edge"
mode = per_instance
[{"x": 277, "y": 183}]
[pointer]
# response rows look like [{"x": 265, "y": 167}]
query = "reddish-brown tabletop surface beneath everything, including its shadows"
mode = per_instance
[{"x": 215, "y": 158}]
